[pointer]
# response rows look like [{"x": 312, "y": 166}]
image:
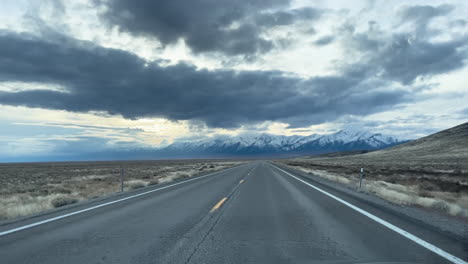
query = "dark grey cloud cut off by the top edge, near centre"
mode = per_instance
[{"x": 226, "y": 26}]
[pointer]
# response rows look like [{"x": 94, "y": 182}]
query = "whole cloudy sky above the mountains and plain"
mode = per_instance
[{"x": 93, "y": 75}]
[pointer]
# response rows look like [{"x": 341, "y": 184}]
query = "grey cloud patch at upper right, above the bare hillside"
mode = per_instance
[{"x": 409, "y": 55}]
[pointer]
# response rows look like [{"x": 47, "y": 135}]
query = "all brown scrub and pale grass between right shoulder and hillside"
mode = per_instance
[{"x": 444, "y": 190}]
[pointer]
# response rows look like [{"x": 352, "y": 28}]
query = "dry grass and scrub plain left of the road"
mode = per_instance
[{"x": 31, "y": 188}]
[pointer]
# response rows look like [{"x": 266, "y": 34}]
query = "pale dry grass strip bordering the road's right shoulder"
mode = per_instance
[{"x": 416, "y": 195}]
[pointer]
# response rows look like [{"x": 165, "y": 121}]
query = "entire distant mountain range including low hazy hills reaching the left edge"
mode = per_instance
[{"x": 241, "y": 146}]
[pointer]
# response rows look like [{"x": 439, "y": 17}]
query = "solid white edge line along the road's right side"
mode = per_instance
[{"x": 400, "y": 231}]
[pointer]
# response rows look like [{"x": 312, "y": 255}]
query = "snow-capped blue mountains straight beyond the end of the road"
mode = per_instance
[{"x": 267, "y": 144}]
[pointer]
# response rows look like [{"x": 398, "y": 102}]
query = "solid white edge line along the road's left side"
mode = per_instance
[{"x": 104, "y": 204}]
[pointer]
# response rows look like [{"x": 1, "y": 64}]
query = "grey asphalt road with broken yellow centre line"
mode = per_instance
[{"x": 254, "y": 213}]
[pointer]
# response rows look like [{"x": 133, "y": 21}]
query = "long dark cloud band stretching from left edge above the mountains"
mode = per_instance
[{"x": 118, "y": 82}]
